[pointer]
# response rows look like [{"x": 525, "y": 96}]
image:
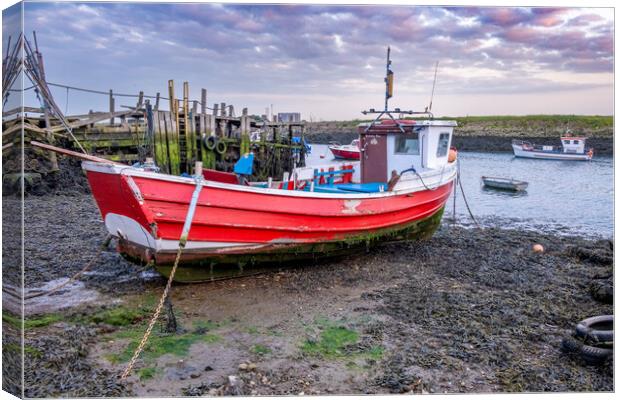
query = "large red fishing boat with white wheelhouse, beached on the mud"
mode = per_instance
[{"x": 399, "y": 192}]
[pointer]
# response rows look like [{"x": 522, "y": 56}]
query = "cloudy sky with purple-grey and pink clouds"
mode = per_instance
[{"x": 328, "y": 62}]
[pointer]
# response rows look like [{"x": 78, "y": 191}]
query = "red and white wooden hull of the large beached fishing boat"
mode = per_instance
[{"x": 239, "y": 225}]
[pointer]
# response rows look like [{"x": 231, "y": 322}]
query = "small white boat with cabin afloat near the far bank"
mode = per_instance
[{"x": 573, "y": 148}]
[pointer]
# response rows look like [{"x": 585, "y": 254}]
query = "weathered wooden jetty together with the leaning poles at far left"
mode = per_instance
[{"x": 176, "y": 138}]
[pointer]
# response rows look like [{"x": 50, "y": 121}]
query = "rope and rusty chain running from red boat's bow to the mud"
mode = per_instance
[{"x": 182, "y": 242}]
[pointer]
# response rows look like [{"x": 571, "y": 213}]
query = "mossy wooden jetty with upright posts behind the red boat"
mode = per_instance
[{"x": 176, "y": 138}]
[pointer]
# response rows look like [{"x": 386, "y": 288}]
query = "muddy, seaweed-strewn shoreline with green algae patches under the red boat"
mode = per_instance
[{"x": 469, "y": 311}]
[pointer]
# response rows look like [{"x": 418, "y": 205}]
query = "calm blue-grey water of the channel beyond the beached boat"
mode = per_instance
[{"x": 565, "y": 197}]
